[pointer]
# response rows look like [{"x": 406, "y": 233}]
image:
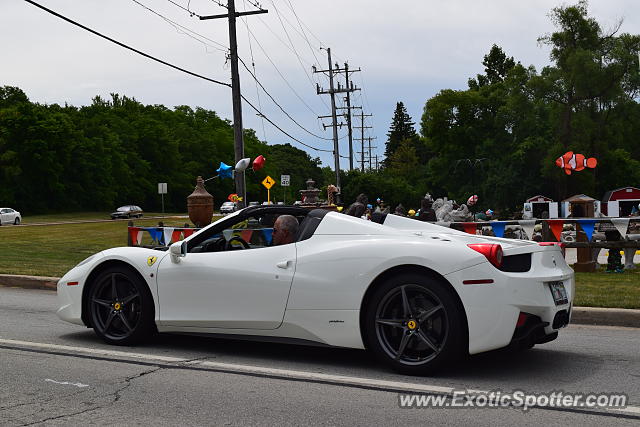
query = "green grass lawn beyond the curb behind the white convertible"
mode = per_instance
[{"x": 52, "y": 250}]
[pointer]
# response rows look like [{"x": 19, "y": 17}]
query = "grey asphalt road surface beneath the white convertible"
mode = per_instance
[{"x": 55, "y": 373}]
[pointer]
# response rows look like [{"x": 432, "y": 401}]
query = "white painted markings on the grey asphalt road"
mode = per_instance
[{"x": 400, "y": 387}]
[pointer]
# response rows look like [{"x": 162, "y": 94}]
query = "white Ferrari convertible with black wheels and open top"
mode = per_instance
[{"x": 415, "y": 294}]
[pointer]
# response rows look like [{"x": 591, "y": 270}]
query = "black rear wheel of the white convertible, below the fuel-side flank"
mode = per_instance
[{"x": 413, "y": 324}]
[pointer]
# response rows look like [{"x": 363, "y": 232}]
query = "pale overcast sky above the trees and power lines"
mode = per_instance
[{"x": 407, "y": 50}]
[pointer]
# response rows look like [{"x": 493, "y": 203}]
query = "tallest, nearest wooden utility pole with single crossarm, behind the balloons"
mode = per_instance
[{"x": 235, "y": 91}]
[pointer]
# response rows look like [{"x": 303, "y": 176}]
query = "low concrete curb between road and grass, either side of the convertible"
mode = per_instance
[{"x": 579, "y": 315}]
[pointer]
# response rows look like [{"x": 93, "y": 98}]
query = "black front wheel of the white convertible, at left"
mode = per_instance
[{"x": 121, "y": 307}]
